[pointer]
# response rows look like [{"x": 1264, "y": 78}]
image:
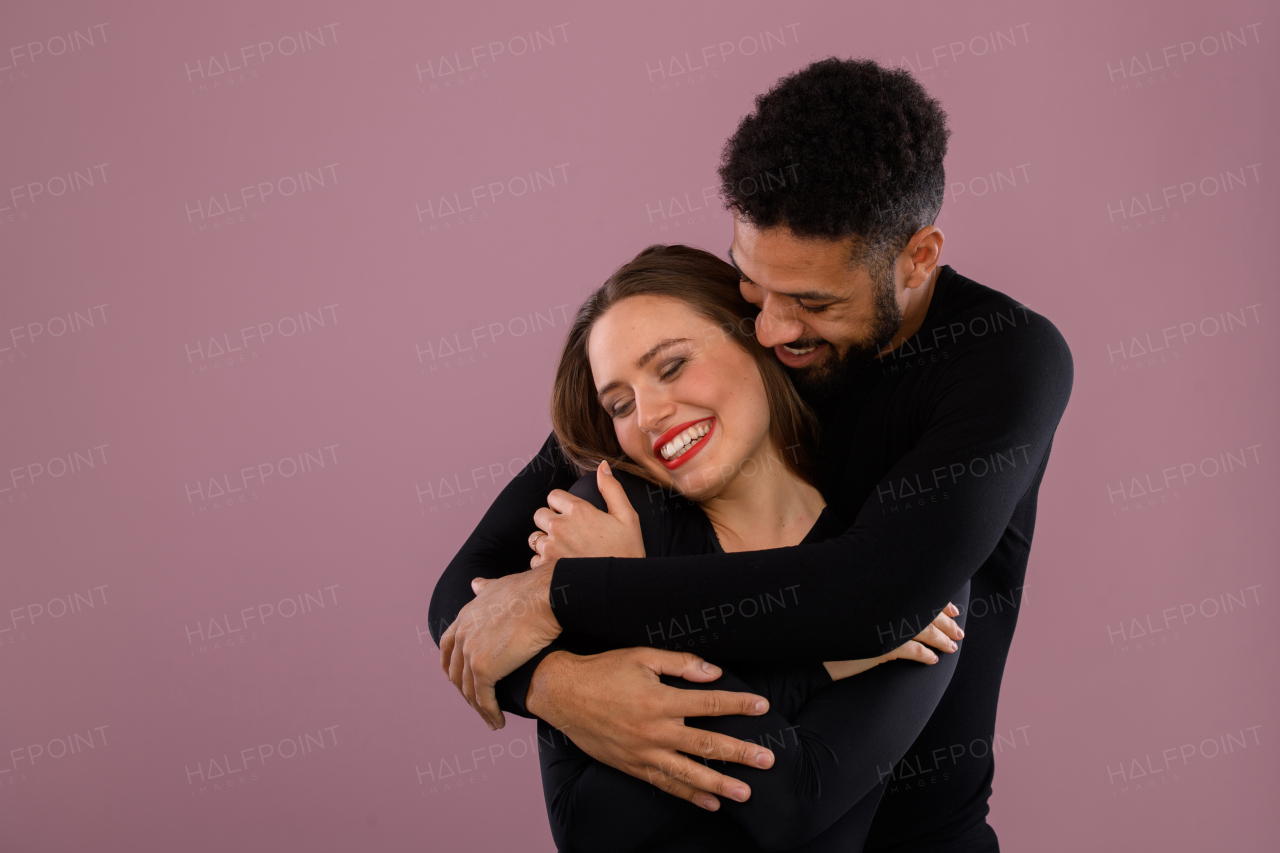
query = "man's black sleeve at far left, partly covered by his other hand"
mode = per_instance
[{"x": 499, "y": 548}]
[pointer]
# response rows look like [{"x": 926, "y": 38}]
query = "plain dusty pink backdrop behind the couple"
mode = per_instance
[{"x": 1080, "y": 111}]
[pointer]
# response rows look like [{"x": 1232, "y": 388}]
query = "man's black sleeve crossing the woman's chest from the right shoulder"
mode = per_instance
[{"x": 988, "y": 427}]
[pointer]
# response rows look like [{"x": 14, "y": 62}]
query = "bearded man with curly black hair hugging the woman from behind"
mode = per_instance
[{"x": 939, "y": 402}]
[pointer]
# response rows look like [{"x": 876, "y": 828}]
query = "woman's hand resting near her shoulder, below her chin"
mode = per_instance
[{"x": 570, "y": 527}]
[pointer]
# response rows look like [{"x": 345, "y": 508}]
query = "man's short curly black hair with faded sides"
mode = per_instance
[{"x": 842, "y": 148}]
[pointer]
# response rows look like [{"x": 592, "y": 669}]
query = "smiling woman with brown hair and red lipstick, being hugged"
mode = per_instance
[{"x": 662, "y": 380}]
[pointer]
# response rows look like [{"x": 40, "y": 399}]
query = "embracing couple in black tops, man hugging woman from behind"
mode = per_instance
[{"x": 774, "y": 485}]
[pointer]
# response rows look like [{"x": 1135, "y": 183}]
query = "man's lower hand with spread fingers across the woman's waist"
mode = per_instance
[{"x": 618, "y": 711}]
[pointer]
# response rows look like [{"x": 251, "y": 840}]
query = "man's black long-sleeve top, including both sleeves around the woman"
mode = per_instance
[{"x": 932, "y": 454}]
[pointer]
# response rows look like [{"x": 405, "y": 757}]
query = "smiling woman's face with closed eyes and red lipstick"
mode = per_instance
[{"x": 688, "y": 403}]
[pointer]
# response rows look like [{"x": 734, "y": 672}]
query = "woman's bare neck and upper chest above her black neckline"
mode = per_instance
[{"x": 771, "y": 509}]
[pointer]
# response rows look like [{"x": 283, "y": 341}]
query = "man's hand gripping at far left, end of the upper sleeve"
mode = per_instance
[{"x": 505, "y": 626}]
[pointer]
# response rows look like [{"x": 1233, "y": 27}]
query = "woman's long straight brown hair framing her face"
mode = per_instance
[{"x": 710, "y": 288}]
